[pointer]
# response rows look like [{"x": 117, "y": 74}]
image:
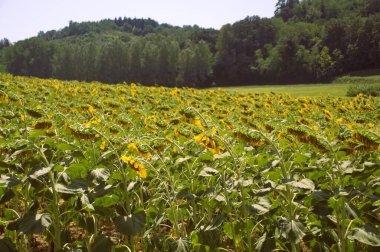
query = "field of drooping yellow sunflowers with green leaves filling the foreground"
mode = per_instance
[{"x": 96, "y": 167}]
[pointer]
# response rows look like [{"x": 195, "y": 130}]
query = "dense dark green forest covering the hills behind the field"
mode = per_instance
[{"x": 304, "y": 42}]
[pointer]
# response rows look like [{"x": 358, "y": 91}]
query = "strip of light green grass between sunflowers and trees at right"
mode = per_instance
[{"x": 337, "y": 88}]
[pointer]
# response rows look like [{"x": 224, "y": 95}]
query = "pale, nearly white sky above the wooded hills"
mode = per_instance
[{"x": 21, "y": 19}]
